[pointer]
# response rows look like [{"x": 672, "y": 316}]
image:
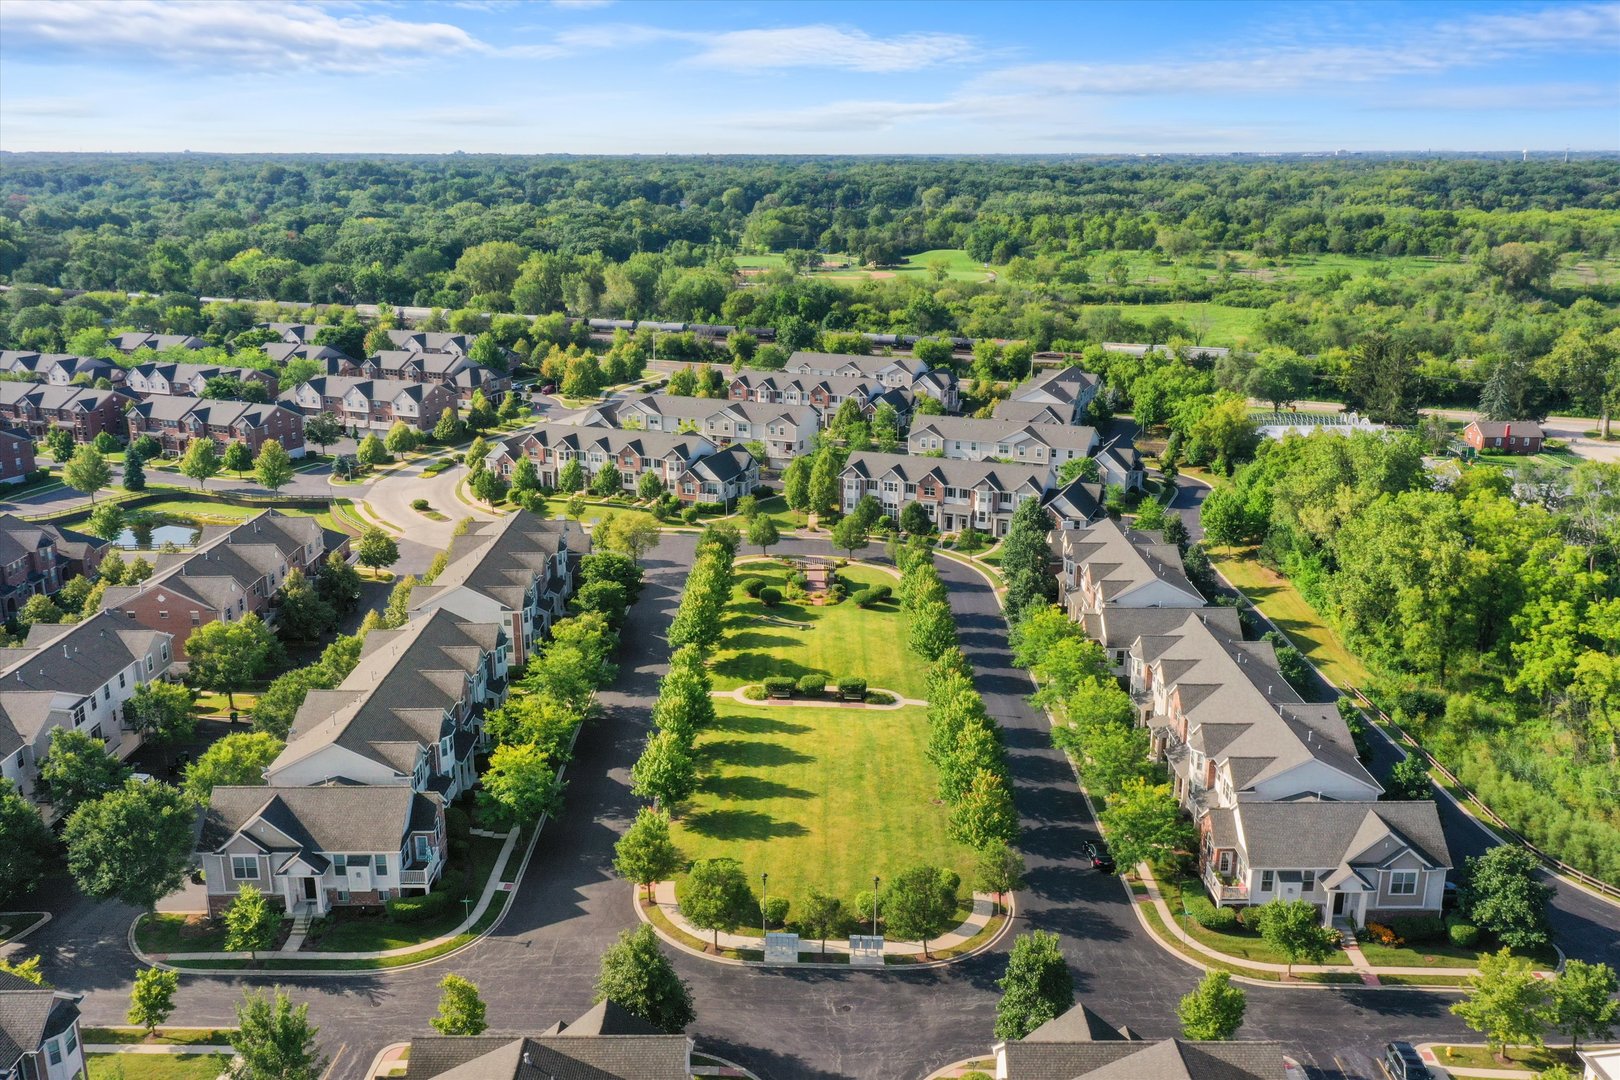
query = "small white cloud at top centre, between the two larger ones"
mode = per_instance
[{"x": 785, "y": 48}]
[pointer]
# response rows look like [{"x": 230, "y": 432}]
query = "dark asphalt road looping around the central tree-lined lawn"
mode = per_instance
[{"x": 787, "y": 1026}]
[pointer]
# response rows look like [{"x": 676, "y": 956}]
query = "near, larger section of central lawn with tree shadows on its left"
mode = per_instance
[{"x": 819, "y": 797}]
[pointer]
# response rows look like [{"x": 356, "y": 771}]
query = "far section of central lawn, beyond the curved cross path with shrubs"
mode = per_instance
[{"x": 838, "y": 640}]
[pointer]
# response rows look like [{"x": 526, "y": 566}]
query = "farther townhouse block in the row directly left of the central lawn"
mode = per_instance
[{"x": 518, "y": 572}]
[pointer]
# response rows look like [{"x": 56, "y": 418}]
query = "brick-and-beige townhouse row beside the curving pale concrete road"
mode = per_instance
[{"x": 634, "y": 453}]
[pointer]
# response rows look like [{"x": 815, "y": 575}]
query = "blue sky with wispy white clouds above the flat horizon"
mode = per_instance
[{"x": 869, "y": 79}]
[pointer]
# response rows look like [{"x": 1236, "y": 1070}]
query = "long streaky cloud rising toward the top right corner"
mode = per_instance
[{"x": 1329, "y": 66}]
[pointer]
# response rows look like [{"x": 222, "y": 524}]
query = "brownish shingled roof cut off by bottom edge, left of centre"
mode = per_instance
[{"x": 607, "y": 1044}]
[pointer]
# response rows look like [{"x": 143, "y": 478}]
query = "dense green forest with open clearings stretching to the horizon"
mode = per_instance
[{"x": 1475, "y": 268}]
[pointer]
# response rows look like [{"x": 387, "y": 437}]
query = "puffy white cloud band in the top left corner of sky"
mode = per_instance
[{"x": 241, "y": 36}]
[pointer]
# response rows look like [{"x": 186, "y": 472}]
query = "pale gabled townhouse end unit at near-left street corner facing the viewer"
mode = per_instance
[{"x": 325, "y": 848}]
